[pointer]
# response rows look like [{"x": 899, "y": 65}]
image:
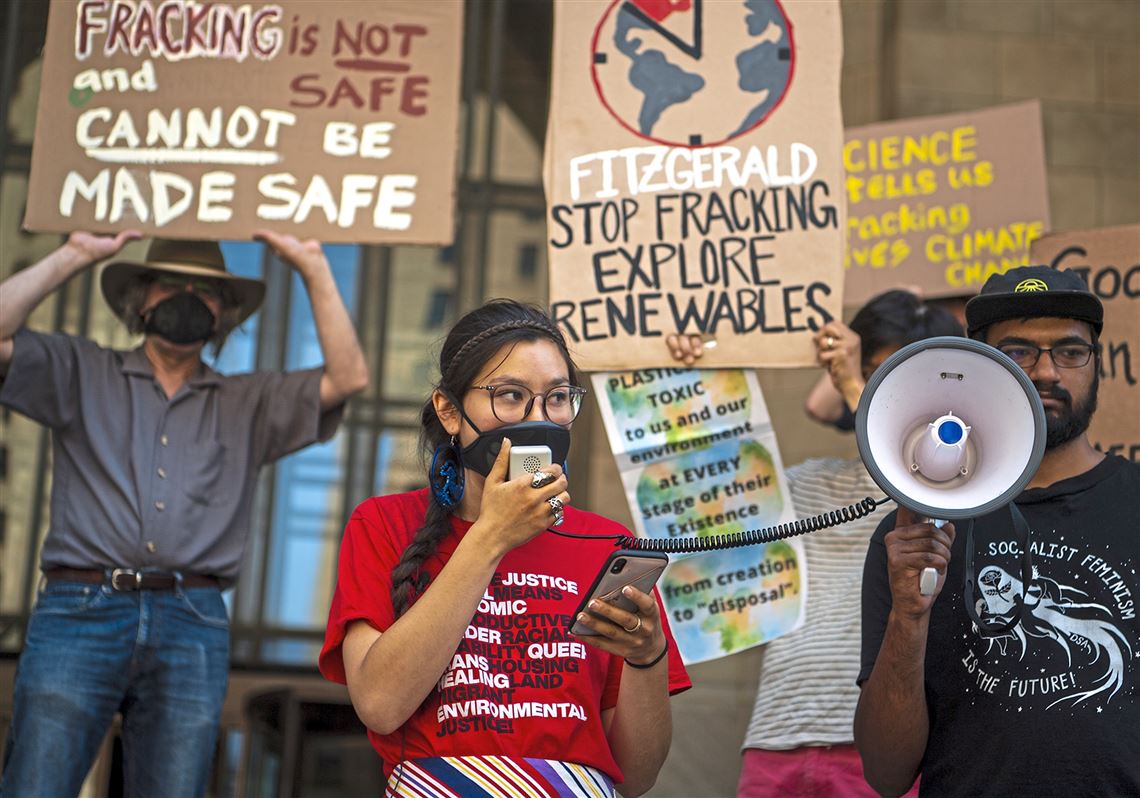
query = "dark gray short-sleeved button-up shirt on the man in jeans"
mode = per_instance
[{"x": 141, "y": 481}]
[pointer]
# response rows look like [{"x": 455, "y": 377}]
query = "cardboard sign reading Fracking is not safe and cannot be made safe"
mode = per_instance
[{"x": 337, "y": 120}]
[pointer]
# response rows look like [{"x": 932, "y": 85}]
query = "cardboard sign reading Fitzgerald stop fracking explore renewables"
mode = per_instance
[{"x": 694, "y": 178}]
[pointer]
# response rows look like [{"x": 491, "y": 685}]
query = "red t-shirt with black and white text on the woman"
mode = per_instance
[{"x": 519, "y": 685}]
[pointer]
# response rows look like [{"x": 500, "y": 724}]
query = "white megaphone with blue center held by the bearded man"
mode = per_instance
[{"x": 952, "y": 429}]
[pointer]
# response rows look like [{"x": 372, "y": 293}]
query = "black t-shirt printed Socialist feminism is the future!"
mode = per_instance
[{"x": 1053, "y": 707}]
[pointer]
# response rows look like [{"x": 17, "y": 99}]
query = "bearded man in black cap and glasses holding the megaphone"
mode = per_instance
[{"x": 1053, "y": 706}]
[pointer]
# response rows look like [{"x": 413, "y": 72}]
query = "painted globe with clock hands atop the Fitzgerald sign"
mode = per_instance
[{"x": 693, "y": 74}]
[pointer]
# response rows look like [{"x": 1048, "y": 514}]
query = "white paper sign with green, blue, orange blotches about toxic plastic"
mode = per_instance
[{"x": 698, "y": 458}]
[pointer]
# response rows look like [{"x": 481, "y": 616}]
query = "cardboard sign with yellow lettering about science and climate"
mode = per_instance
[{"x": 940, "y": 203}]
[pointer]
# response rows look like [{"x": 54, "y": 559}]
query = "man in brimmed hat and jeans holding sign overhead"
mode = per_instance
[{"x": 156, "y": 461}]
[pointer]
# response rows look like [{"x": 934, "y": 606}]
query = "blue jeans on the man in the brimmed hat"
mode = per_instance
[{"x": 159, "y": 657}]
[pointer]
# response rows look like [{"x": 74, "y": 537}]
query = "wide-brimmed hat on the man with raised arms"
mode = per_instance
[{"x": 189, "y": 258}]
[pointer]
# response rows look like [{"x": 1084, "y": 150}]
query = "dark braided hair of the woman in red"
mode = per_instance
[{"x": 473, "y": 343}]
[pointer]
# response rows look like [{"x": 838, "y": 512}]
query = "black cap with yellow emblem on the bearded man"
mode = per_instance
[{"x": 1033, "y": 291}]
